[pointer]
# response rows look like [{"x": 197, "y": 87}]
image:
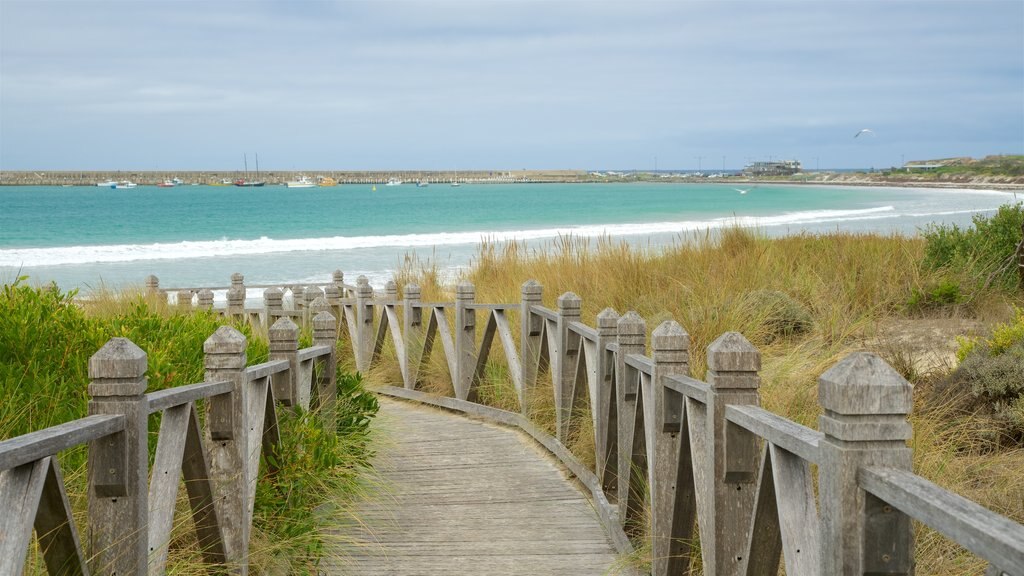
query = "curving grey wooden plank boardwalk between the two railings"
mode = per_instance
[{"x": 468, "y": 498}]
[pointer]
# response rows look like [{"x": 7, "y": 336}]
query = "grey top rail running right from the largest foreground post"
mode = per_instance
[{"x": 986, "y": 533}]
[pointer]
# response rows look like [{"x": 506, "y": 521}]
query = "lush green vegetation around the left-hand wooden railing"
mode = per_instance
[{"x": 47, "y": 339}]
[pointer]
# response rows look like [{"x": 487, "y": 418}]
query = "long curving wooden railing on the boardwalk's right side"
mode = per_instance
[{"x": 700, "y": 457}]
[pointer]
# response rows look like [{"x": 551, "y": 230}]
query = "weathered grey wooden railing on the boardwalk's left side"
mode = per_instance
[{"x": 131, "y": 506}]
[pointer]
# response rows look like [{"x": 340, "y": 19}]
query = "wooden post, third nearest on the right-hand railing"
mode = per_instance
[{"x": 663, "y": 418}]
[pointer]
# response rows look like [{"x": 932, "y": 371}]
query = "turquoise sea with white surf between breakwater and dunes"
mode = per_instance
[{"x": 86, "y": 237}]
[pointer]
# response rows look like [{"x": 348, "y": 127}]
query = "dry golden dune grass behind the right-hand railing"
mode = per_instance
[{"x": 849, "y": 284}]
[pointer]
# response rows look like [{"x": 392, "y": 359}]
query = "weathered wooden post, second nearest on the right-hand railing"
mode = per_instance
[{"x": 729, "y": 479}]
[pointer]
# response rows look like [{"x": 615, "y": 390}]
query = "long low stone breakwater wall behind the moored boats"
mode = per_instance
[{"x": 144, "y": 178}]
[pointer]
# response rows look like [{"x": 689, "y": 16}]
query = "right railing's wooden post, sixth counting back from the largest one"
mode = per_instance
[{"x": 564, "y": 362}]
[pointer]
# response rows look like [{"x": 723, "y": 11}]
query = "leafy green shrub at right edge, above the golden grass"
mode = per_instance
[{"x": 984, "y": 253}]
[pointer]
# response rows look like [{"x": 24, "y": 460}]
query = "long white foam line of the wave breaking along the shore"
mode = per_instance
[{"x": 28, "y": 258}]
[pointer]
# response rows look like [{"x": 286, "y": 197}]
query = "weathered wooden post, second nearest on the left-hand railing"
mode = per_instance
[{"x": 228, "y": 439}]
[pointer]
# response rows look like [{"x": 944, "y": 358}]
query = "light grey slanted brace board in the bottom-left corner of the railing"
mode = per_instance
[{"x": 21, "y": 488}]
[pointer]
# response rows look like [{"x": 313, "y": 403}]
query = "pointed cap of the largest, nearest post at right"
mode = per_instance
[{"x": 864, "y": 384}]
